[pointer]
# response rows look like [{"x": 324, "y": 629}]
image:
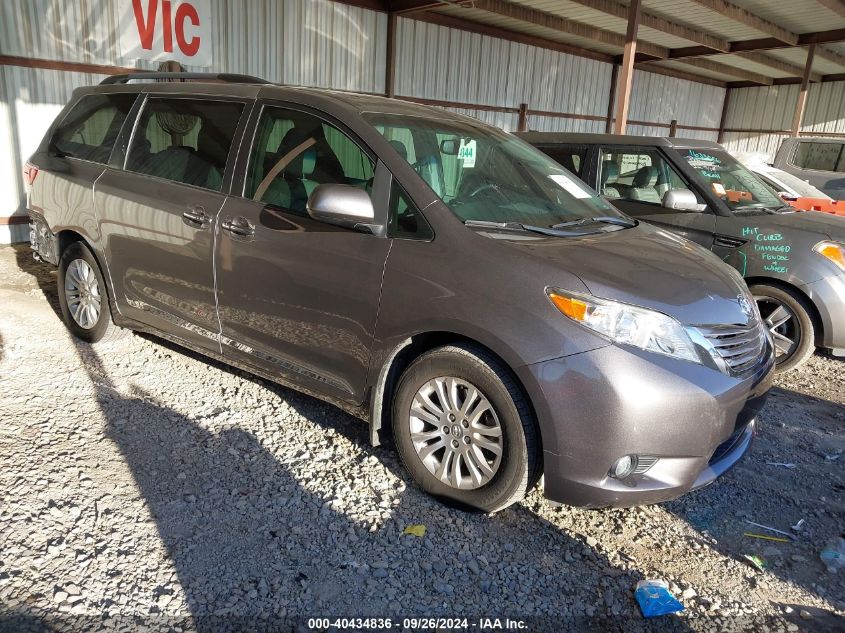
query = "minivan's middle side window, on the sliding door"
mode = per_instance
[{"x": 185, "y": 140}]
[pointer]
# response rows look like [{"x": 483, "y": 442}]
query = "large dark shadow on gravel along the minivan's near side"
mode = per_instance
[{"x": 253, "y": 549}]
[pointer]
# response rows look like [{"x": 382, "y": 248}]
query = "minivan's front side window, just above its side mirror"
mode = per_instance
[{"x": 294, "y": 152}]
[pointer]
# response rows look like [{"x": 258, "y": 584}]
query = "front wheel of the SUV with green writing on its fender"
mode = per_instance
[{"x": 787, "y": 317}]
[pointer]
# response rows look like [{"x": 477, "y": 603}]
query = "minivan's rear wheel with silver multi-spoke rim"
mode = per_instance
[{"x": 82, "y": 296}]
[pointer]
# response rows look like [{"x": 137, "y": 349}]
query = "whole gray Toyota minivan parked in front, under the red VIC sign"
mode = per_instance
[{"x": 438, "y": 278}]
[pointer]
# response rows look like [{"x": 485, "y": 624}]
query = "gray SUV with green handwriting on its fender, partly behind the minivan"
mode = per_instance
[{"x": 794, "y": 263}]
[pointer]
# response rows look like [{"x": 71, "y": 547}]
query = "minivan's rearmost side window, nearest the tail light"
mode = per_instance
[{"x": 90, "y": 128}]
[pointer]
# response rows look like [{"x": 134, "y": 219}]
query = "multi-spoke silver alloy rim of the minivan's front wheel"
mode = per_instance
[{"x": 456, "y": 432}]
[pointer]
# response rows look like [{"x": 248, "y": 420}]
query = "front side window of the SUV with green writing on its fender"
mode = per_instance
[{"x": 641, "y": 175}]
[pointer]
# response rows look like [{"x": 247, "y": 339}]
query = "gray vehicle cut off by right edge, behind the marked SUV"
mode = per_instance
[{"x": 819, "y": 161}]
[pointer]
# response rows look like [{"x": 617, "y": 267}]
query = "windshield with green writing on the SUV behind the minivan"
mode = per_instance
[{"x": 728, "y": 179}]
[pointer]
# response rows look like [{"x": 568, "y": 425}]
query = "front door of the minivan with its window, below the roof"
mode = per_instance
[{"x": 298, "y": 298}]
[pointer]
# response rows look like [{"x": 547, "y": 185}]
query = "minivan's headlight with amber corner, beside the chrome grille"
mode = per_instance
[{"x": 622, "y": 323}]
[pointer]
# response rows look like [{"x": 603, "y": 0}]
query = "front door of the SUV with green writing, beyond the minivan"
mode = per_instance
[{"x": 634, "y": 179}]
